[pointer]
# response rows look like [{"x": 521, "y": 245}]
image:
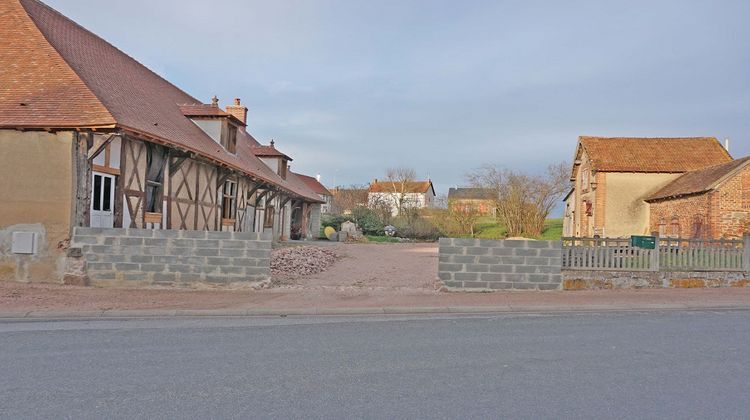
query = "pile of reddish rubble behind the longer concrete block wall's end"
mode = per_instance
[{"x": 301, "y": 260}]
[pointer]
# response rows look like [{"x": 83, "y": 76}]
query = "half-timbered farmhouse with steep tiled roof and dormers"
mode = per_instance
[{"x": 90, "y": 137}]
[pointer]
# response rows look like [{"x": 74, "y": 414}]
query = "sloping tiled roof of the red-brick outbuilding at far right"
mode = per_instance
[{"x": 700, "y": 181}]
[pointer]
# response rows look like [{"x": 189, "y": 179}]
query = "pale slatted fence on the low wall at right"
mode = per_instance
[{"x": 671, "y": 254}]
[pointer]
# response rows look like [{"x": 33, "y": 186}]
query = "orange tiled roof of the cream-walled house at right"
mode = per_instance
[{"x": 634, "y": 154}]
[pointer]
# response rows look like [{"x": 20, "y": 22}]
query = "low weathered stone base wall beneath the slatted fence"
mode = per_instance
[{"x": 587, "y": 280}]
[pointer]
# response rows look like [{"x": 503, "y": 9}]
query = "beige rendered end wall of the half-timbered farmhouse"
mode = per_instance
[{"x": 36, "y": 183}]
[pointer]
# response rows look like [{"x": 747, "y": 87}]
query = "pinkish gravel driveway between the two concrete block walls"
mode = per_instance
[{"x": 373, "y": 266}]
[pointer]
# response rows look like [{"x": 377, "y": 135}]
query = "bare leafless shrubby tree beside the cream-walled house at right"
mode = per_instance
[{"x": 523, "y": 201}]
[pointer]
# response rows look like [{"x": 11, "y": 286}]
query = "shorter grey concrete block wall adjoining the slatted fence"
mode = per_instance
[{"x": 481, "y": 264}]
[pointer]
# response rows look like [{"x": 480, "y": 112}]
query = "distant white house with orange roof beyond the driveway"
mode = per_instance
[{"x": 399, "y": 196}]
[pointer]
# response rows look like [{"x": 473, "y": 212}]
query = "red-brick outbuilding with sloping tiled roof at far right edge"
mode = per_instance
[{"x": 709, "y": 203}]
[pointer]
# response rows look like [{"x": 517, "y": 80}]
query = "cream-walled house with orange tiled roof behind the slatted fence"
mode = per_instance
[{"x": 614, "y": 176}]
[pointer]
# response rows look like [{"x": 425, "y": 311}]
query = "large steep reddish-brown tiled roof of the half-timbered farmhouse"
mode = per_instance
[{"x": 65, "y": 76}]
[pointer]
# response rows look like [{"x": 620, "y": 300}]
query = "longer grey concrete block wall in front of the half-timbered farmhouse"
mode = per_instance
[{"x": 172, "y": 257}]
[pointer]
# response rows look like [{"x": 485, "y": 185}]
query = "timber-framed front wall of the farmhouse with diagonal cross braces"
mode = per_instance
[{"x": 191, "y": 191}]
